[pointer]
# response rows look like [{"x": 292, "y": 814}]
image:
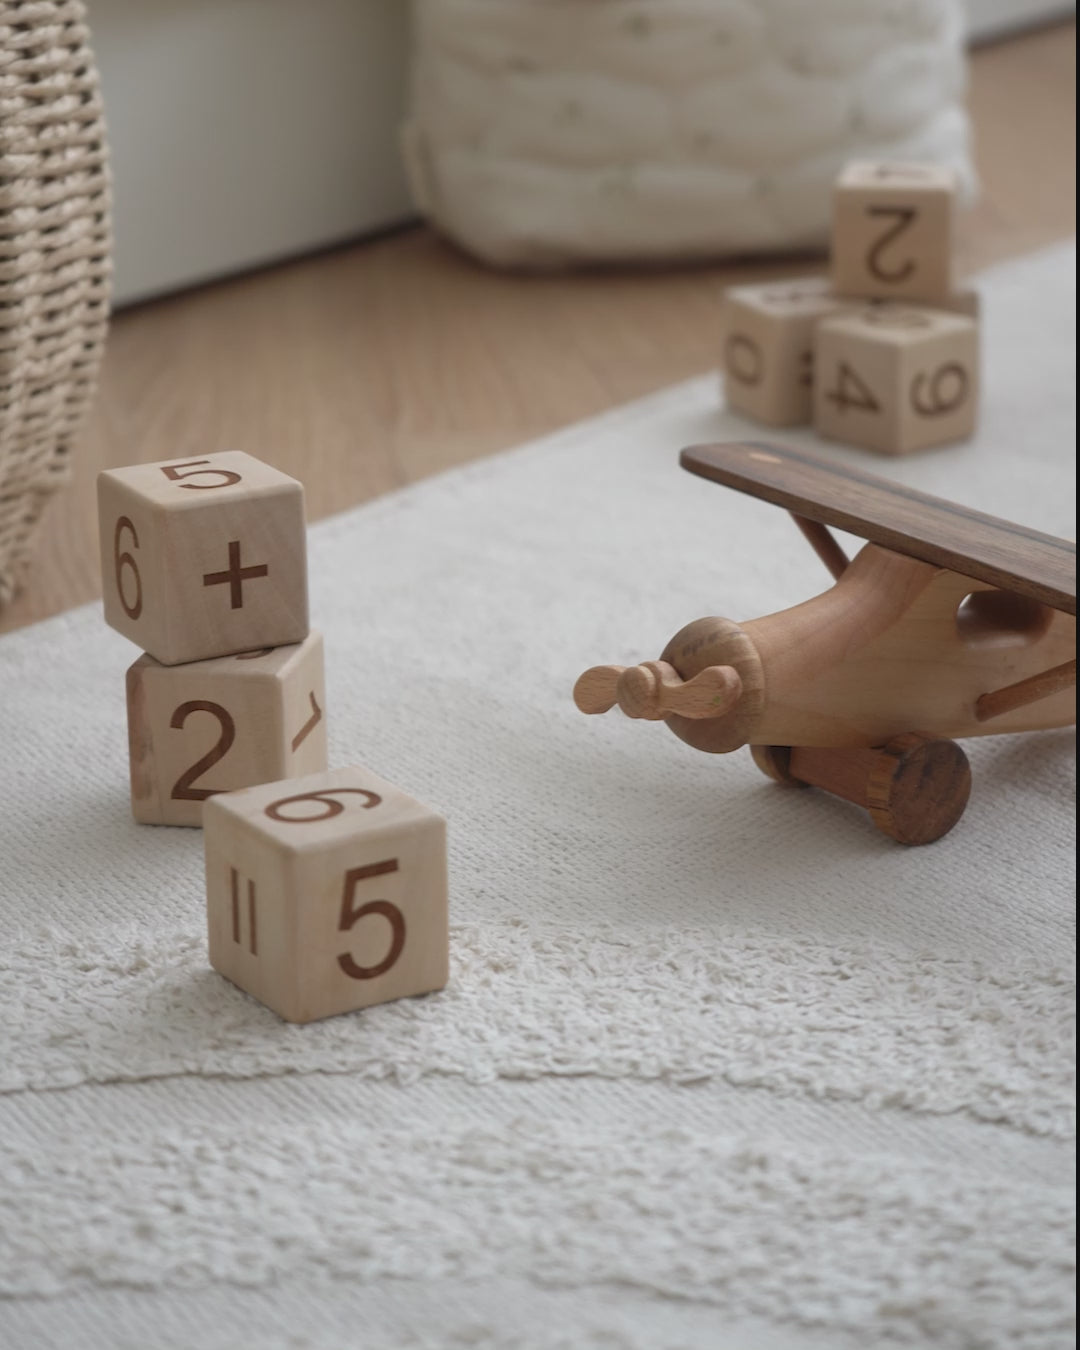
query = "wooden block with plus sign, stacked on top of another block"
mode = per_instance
[{"x": 203, "y": 557}]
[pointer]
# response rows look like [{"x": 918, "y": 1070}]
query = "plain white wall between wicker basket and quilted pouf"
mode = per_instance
[{"x": 244, "y": 132}]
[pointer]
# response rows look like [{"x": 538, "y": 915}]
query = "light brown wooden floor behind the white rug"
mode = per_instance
[{"x": 373, "y": 367}]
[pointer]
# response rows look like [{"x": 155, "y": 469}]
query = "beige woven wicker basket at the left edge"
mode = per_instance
[{"x": 55, "y": 259}]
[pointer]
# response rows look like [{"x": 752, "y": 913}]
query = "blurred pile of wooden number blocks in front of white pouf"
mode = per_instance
[{"x": 885, "y": 354}]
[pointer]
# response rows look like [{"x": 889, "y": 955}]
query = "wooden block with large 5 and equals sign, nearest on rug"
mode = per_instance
[{"x": 327, "y": 894}]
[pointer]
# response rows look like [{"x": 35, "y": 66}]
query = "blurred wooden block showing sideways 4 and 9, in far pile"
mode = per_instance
[{"x": 896, "y": 380}]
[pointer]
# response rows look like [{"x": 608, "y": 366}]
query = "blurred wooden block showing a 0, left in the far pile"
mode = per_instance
[{"x": 769, "y": 344}]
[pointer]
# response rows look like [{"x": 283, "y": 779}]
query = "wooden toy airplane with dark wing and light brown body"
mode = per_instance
[{"x": 947, "y": 624}]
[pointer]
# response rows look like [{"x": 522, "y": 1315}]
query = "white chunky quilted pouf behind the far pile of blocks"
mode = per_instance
[{"x": 558, "y": 132}]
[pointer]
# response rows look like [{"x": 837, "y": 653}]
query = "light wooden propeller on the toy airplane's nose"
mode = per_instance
[{"x": 655, "y": 691}]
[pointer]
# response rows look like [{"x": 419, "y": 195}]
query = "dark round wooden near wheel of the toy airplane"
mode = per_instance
[{"x": 919, "y": 788}]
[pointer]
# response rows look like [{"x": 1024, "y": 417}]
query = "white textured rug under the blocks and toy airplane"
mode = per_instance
[{"x": 719, "y": 1066}]
